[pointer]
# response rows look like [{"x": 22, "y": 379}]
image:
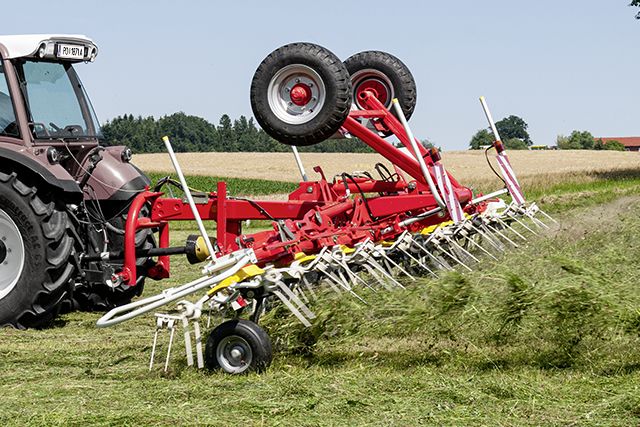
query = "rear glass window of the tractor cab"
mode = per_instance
[{"x": 56, "y": 101}]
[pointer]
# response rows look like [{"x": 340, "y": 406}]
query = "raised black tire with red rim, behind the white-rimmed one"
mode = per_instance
[{"x": 389, "y": 72}]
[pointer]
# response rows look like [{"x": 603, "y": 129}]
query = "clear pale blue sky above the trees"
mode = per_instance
[{"x": 560, "y": 65}]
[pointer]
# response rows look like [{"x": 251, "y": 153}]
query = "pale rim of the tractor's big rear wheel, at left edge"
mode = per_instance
[{"x": 12, "y": 254}]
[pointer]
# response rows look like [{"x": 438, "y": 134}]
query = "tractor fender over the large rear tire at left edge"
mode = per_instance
[{"x": 16, "y": 158}]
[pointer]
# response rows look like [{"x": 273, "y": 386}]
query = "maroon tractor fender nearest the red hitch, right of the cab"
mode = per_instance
[{"x": 114, "y": 178}]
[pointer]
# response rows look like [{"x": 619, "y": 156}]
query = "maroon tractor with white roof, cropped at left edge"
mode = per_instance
[{"x": 63, "y": 195}]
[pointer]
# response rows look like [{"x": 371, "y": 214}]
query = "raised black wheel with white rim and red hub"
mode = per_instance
[{"x": 324, "y": 94}]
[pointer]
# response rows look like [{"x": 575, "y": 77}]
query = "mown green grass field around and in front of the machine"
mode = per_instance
[{"x": 547, "y": 336}]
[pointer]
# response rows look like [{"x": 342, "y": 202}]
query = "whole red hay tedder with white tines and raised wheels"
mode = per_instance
[{"x": 346, "y": 233}]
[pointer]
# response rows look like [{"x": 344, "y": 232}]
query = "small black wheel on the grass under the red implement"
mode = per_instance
[{"x": 249, "y": 340}]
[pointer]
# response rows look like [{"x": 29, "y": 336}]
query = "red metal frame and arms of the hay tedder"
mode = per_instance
[{"x": 315, "y": 215}]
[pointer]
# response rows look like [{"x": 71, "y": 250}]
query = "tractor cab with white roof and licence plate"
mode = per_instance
[{"x": 41, "y": 97}]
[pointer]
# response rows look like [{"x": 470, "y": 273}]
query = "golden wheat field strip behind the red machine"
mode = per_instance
[{"x": 469, "y": 167}]
